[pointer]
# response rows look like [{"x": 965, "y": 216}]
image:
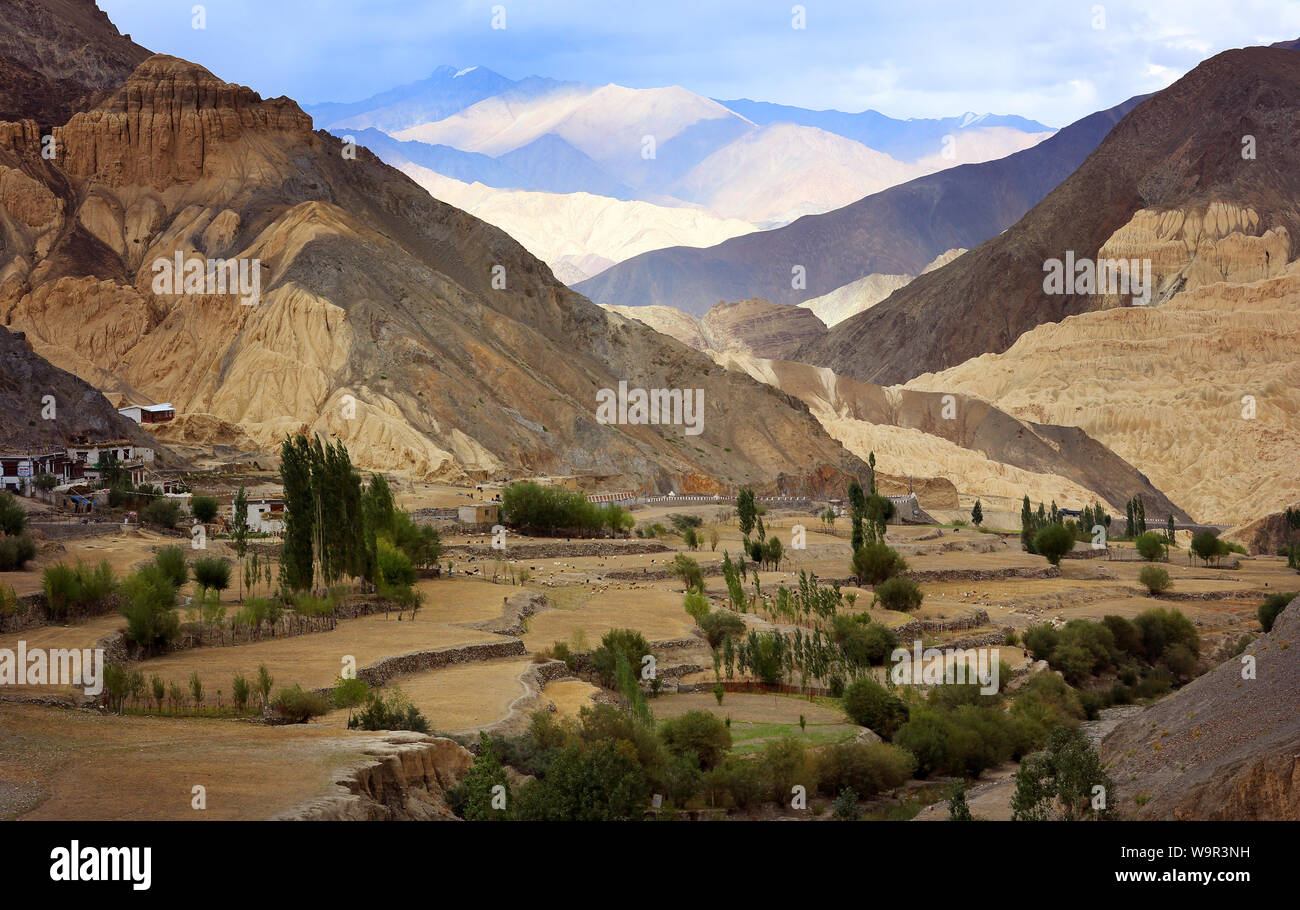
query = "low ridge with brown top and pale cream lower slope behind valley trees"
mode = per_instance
[{"x": 981, "y": 450}]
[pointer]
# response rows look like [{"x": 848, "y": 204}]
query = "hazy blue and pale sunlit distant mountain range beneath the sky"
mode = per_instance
[{"x": 759, "y": 163}]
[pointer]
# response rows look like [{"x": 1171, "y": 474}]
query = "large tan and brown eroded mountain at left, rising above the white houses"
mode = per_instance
[{"x": 380, "y": 318}]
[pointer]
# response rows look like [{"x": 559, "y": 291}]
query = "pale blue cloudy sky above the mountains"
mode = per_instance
[{"x": 1050, "y": 60}]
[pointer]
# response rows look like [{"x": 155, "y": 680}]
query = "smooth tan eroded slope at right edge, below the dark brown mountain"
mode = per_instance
[{"x": 1169, "y": 389}]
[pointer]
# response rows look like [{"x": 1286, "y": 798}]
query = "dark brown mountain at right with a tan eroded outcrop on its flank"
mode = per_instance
[{"x": 1171, "y": 184}]
